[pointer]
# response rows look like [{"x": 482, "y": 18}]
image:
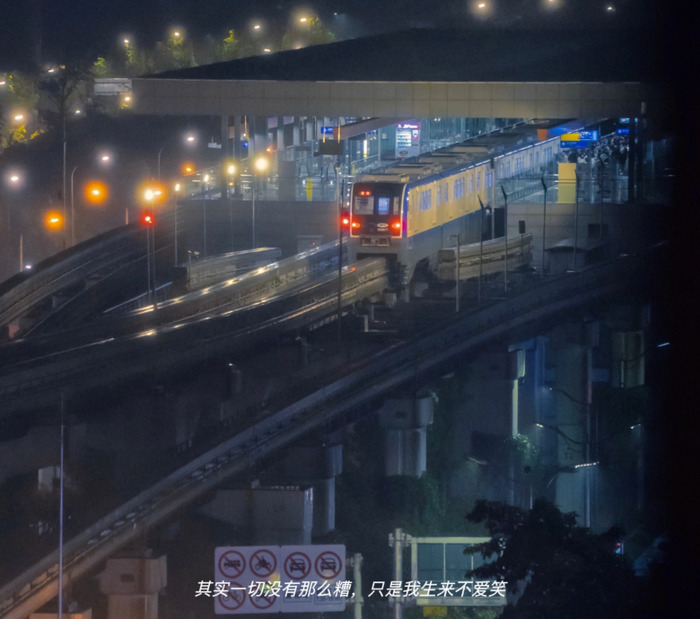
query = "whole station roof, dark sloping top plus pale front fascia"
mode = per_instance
[{"x": 423, "y": 73}]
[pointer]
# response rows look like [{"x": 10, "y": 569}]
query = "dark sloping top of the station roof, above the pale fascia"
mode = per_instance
[{"x": 433, "y": 55}]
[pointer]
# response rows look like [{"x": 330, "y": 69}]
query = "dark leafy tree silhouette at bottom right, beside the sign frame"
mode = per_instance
[{"x": 566, "y": 570}]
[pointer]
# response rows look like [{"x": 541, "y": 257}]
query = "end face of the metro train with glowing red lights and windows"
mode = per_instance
[{"x": 376, "y": 222}]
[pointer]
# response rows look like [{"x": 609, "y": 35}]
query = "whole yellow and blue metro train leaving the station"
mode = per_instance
[{"x": 412, "y": 209}]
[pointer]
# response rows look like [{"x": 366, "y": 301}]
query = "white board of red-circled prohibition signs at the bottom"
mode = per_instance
[{"x": 274, "y": 579}]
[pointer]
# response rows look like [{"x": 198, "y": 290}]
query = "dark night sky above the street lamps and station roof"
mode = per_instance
[{"x": 68, "y": 30}]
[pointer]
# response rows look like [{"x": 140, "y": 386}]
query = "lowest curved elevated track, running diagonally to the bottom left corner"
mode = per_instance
[{"x": 343, "y": 399}]
